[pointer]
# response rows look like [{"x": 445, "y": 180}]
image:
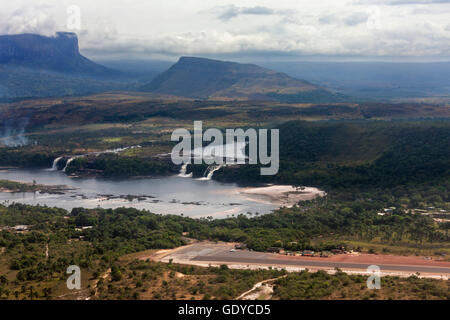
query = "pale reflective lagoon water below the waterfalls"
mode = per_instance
[{"x": 164, "y": 195}]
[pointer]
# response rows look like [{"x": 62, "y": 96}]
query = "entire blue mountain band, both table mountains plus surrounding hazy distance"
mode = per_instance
[{"x": 33, "y": 66}]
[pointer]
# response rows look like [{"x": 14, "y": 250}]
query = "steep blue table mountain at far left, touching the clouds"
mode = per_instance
[{"x": 32, "y": 65}]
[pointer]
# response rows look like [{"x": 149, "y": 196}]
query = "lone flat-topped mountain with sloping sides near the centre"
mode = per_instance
[{"x": 213, "y": 79}]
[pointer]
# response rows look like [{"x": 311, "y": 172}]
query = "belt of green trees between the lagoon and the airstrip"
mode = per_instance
[{"x": 322, "y": 224}]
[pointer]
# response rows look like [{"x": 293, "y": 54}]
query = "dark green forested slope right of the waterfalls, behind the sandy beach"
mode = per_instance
[{"x": 362, "y": 155}]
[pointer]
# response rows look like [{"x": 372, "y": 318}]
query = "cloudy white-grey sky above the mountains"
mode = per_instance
[{"x": 257, "y": 29}]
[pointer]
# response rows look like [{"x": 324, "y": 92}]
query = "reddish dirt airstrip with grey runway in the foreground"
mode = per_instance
[{"x": 215, "y": 254}]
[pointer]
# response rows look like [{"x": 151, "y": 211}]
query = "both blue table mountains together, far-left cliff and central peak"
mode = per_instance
[{"x": 38, "y": 66}]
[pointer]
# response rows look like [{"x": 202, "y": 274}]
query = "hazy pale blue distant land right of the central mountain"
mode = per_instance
[{"x": 372, "y": 80}]
